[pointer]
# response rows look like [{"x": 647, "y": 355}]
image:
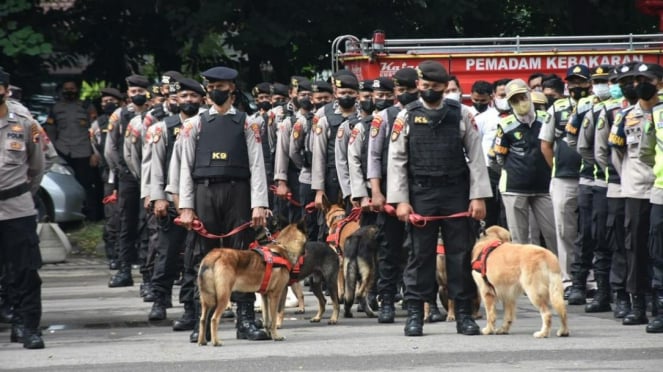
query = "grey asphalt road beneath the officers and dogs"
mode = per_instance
[{"x": 90, "y": 327}]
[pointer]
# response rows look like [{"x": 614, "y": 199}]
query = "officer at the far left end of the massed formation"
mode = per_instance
[{"x": 111, "y": 100}]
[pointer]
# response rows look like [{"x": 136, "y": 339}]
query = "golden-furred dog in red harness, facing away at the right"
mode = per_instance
[{"x": 511, "y": 269}]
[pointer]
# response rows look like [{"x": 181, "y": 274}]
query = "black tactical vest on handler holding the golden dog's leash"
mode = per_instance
[{"x": 435, "y": 147}]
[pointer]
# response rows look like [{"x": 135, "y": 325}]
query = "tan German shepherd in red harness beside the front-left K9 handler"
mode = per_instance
[{"x": 224, "y": 270}]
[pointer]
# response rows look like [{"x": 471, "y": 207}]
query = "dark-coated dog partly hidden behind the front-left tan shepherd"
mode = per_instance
[{"x": 320, "y": 263}]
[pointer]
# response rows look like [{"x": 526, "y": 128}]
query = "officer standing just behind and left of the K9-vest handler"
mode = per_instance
[{"x": 162, "y": 137}]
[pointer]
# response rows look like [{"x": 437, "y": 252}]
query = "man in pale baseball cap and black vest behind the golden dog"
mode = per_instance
[{"x": 525, "y": 176}]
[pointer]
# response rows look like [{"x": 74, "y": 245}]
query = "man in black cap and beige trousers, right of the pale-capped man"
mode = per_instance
[{"x": 565, "y": 172}]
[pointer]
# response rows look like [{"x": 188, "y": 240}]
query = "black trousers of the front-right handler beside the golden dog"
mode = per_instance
[{"x": 432, "y": 196}]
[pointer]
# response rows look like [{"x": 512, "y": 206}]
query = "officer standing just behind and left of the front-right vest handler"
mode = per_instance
[{"x": 392, "y": 231}]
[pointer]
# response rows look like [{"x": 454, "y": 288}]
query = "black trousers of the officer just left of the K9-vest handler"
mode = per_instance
[{"x": 170, "y": 242}]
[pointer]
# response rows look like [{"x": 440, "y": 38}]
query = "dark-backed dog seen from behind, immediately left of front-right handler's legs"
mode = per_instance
[{"x": 360, "y": 265}]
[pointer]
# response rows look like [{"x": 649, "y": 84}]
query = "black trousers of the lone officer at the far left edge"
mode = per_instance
[{"x": 21, "y": 258}]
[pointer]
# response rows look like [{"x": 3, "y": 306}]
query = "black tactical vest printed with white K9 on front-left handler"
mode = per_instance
[{"x": 221, "y": 150}]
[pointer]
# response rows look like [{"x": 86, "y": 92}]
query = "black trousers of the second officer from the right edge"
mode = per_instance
[{"x": 637, "y": 215}]
